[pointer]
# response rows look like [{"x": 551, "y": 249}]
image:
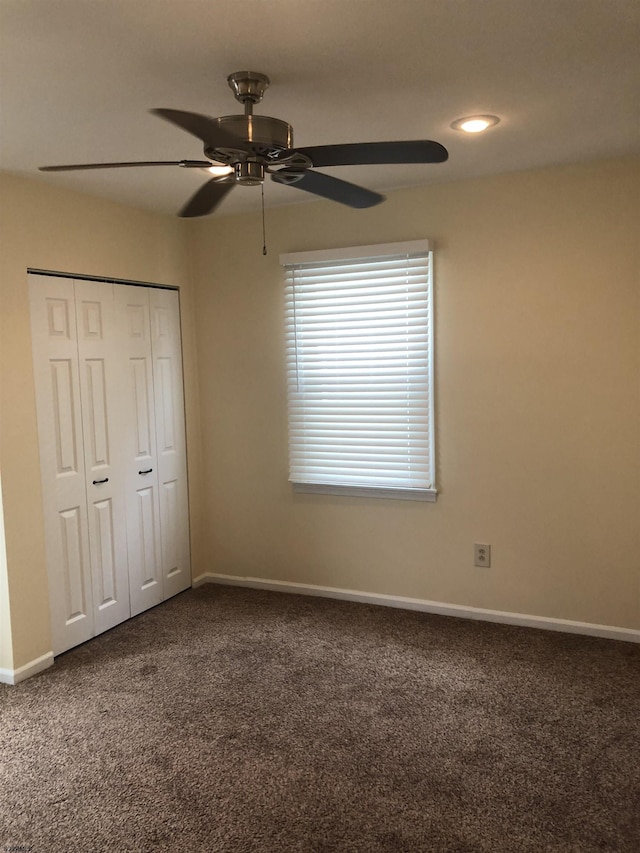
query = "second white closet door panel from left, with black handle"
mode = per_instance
[{"x": 104, "y": 426}]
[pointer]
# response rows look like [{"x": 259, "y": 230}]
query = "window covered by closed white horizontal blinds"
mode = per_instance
[{"x": 360, "y": 370}]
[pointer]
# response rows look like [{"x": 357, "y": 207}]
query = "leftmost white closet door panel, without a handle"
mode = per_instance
[{"x": 57, "y": 384}]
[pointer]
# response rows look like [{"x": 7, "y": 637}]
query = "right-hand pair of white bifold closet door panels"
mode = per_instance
[{"x": 156, "y": 476}]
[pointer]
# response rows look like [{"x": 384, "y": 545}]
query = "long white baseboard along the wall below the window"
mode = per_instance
[{"x": 629, "y": 635}]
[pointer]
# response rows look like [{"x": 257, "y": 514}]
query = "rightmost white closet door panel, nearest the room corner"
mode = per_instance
[{"x": 170, "y": 434}]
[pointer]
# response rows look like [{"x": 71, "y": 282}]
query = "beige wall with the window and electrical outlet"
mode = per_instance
[{"x": 538, "y": 399}]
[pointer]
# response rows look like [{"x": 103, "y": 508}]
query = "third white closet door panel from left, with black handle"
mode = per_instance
[{"x": 141, "y": 478}]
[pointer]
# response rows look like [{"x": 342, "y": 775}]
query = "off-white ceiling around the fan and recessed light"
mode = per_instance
[{"x": 78, "y": 77}]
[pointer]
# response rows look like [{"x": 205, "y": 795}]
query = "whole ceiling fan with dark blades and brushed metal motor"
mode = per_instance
[{"x": 246, "y": 147}]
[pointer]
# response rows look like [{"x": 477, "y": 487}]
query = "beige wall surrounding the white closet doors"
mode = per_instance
[{"x": 46, "y": 228}]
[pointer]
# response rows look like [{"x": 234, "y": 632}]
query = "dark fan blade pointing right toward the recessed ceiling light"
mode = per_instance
[{"x": 376, "y": 153}]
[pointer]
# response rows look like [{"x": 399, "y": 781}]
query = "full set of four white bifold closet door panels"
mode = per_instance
[{"x": 109, "y": 396}]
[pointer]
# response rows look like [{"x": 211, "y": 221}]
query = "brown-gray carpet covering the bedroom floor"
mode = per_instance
[{"x": 238, "y": 720}]
